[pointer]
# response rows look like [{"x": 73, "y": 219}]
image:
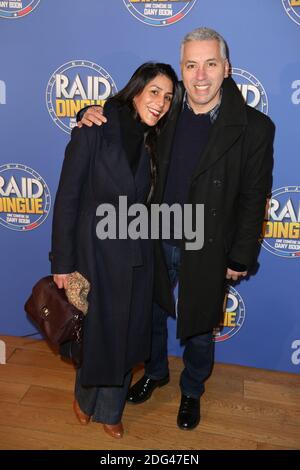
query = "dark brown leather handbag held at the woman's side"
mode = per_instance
[{"x": 49, "y": 309}]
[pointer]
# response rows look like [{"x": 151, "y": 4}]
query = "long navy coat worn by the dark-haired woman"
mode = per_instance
[{"x": 118, "y": 324}]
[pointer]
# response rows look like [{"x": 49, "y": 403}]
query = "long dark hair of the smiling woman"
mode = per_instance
[{"x": 141, "y": 77}]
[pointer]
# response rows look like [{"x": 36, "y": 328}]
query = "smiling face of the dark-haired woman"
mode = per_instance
[{"x": 155, "y": 100}]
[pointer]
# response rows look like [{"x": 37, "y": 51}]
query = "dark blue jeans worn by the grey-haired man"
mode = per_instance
[{"x": 198, "y": 355}]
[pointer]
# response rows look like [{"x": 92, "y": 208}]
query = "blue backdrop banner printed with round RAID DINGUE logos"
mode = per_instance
[{"x": 58, "y": 56}]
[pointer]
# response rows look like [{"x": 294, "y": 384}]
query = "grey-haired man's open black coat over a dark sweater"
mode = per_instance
[{"x": 233, "y": 179}]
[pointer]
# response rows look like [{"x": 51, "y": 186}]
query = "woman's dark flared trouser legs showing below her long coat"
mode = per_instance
[{"x": 104, "y": 404}]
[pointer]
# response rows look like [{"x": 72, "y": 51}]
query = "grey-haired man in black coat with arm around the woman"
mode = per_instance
[{"x": 216, "y": 151}]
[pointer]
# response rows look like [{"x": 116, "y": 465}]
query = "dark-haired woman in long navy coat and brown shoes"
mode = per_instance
[{"x": 101, "y": 164}]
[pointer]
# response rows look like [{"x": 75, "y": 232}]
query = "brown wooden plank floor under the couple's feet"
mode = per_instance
[{"x": 243, "y": 408}]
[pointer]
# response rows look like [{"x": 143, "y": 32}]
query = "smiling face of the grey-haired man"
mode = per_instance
[{"x": 203, "y": 70}]
